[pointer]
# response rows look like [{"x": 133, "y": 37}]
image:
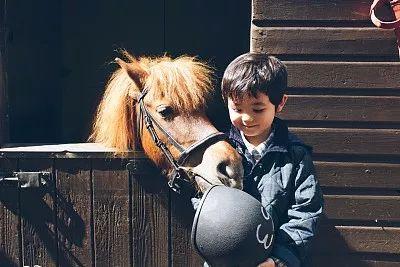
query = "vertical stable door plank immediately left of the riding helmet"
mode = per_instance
[{"x": 183, "y": 253}]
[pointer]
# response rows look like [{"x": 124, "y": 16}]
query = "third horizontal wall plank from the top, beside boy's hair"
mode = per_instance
[{"x": 363, "y": 75}]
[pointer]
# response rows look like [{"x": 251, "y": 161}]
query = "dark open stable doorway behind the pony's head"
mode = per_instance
[{"x": 57, "y": 54}]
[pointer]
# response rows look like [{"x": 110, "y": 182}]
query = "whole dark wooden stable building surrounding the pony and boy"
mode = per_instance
[{"x": 344, "y": 100}]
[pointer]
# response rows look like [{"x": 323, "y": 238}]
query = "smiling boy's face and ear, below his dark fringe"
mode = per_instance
[{"x": 253, "y": 116}]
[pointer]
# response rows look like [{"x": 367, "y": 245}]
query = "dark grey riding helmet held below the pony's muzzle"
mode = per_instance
[{"x": 231, "y": 228}]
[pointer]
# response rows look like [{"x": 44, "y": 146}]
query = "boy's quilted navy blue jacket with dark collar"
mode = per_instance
[{"x": 284, "y": 181}]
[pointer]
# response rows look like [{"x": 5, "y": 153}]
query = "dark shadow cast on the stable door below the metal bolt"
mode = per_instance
[{"x": 38, "y": 215}]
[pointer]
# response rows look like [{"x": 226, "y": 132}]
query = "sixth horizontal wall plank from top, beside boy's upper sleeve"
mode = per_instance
[{"x": 358, "y": 175}]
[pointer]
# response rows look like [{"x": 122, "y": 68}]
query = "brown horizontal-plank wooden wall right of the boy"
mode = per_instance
[{"x": 344, "y": 81}]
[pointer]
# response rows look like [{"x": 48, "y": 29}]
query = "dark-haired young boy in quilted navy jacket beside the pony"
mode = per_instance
[{"x": 278, "y": 168}]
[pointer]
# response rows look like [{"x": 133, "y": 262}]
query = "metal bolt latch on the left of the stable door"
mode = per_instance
[{"x": 25, "y": 179}]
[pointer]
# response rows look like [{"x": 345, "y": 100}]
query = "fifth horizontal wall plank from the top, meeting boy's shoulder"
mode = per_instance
[{"x": 351, "y": 141}]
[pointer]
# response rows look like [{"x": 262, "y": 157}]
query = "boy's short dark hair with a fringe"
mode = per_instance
[{"x": 252, "y": 73}]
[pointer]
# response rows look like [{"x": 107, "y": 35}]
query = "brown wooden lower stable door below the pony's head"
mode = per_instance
[{"x": 92, "y": 212}]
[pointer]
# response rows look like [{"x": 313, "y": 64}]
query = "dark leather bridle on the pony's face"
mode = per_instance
[{"x": 181, "y": 175}]
